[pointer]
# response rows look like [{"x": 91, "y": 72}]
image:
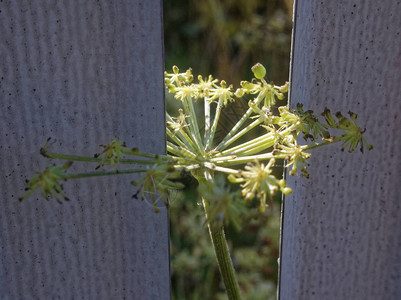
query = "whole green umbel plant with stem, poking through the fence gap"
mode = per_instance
[{"x": 193, "y": 146}]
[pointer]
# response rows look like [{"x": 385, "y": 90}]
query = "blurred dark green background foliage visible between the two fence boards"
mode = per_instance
[{"x": 225, "y": 38}]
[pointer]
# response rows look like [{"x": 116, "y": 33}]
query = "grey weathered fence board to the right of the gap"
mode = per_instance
[{"x": 342, "y": 227}]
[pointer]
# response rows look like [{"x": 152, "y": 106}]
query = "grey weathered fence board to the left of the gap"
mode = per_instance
[{"x": 83, "y": 73}]
